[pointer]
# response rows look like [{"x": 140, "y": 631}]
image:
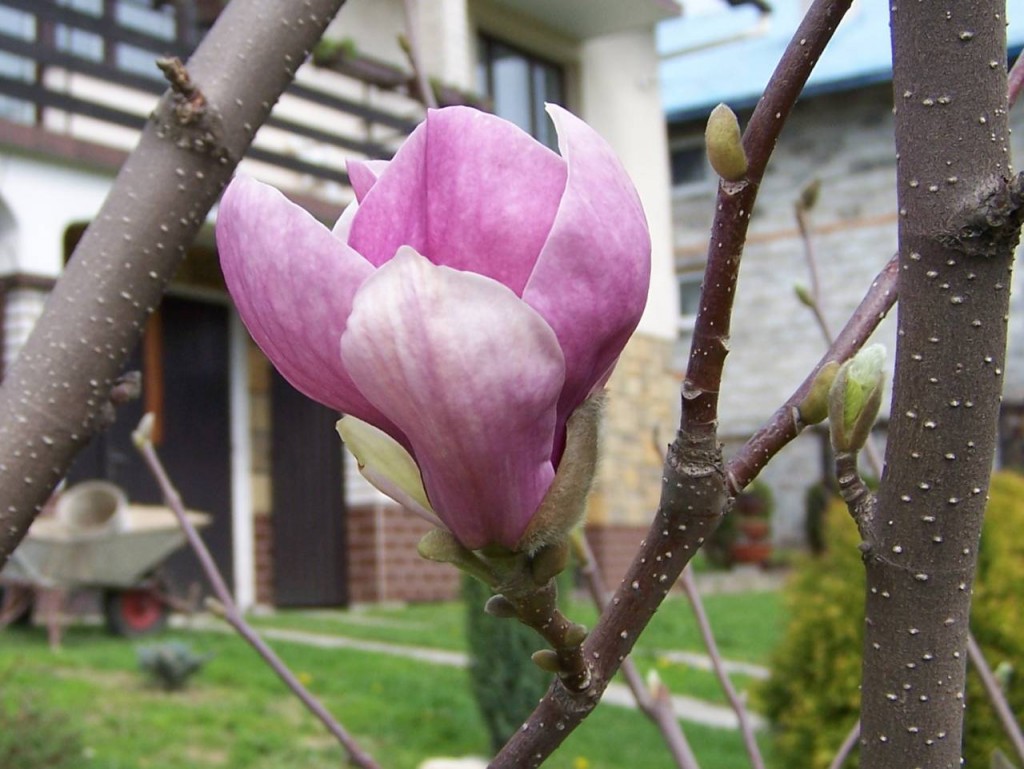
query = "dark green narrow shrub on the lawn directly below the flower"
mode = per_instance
[{"x": 505, "y": 682}]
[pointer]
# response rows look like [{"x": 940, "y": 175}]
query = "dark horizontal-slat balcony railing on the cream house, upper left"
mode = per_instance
[{"x": 82, "y": 71}]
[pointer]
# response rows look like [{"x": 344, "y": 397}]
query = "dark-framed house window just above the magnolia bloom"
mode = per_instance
[{"x": 519, "y": 84}]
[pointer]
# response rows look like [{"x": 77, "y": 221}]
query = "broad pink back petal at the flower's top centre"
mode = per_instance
[{"x": 467, "y": 190}]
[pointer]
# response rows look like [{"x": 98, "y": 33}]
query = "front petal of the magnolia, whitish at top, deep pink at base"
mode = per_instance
[{"x": 471, "y": 375}]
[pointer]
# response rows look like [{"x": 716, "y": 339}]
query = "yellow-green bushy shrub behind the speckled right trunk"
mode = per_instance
[{"x": 813, "y": 698}]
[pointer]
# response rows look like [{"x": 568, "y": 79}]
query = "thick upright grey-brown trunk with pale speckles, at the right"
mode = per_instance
[{"x": 959, "y": 223}]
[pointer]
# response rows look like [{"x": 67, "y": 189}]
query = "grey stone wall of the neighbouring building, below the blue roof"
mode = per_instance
[{"x": 845, "y": 141}]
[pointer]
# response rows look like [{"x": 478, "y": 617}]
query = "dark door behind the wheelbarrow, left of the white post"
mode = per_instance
[{"x": 186, "y": 378}]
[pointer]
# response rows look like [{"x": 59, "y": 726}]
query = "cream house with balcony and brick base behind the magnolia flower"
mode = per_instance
[{"x": 294, "y": 524}]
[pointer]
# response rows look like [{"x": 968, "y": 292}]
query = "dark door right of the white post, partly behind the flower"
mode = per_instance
[{"x": 309, "y": 518}]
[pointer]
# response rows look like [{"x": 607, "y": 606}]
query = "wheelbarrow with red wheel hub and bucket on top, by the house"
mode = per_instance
[{"x": 97, "y": 540}]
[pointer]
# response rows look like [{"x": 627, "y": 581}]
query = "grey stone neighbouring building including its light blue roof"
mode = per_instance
[{"x": 840, "y": 137}]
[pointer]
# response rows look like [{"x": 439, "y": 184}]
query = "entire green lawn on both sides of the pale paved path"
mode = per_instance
[{"x": 238, "y": 716}]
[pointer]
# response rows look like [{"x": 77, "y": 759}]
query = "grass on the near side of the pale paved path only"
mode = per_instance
[{"x": 236, "y": 714}]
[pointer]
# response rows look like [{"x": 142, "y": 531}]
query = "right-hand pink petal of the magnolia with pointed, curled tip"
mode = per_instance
[{"x": 591, "y": 281}]
